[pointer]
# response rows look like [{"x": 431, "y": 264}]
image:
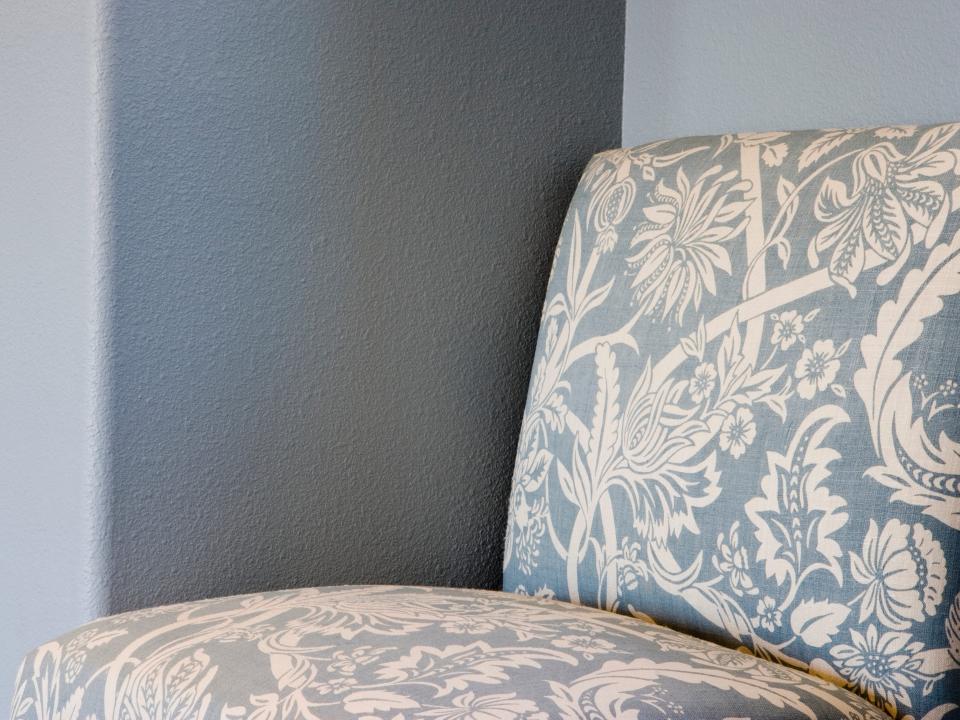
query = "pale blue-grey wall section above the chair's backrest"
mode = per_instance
[{"x": 702, "y": 66}]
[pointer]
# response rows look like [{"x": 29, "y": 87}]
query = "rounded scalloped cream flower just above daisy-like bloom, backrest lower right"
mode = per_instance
[{"x": 905, "y": 573}]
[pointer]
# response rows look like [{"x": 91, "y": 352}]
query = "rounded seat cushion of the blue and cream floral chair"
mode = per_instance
[{"x": 397, "y": 652}]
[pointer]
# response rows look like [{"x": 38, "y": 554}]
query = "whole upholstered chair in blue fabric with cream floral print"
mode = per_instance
[{"x": 737, "y": 486}]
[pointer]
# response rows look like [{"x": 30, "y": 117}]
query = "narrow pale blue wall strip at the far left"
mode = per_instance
[{"x": 46, "y": 333}]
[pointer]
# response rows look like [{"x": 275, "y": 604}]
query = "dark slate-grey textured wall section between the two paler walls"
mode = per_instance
[{"x": 331, "y": 226}]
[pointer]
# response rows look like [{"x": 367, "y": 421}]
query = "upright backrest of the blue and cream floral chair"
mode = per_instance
[{"x": 744, "y": 415}]
